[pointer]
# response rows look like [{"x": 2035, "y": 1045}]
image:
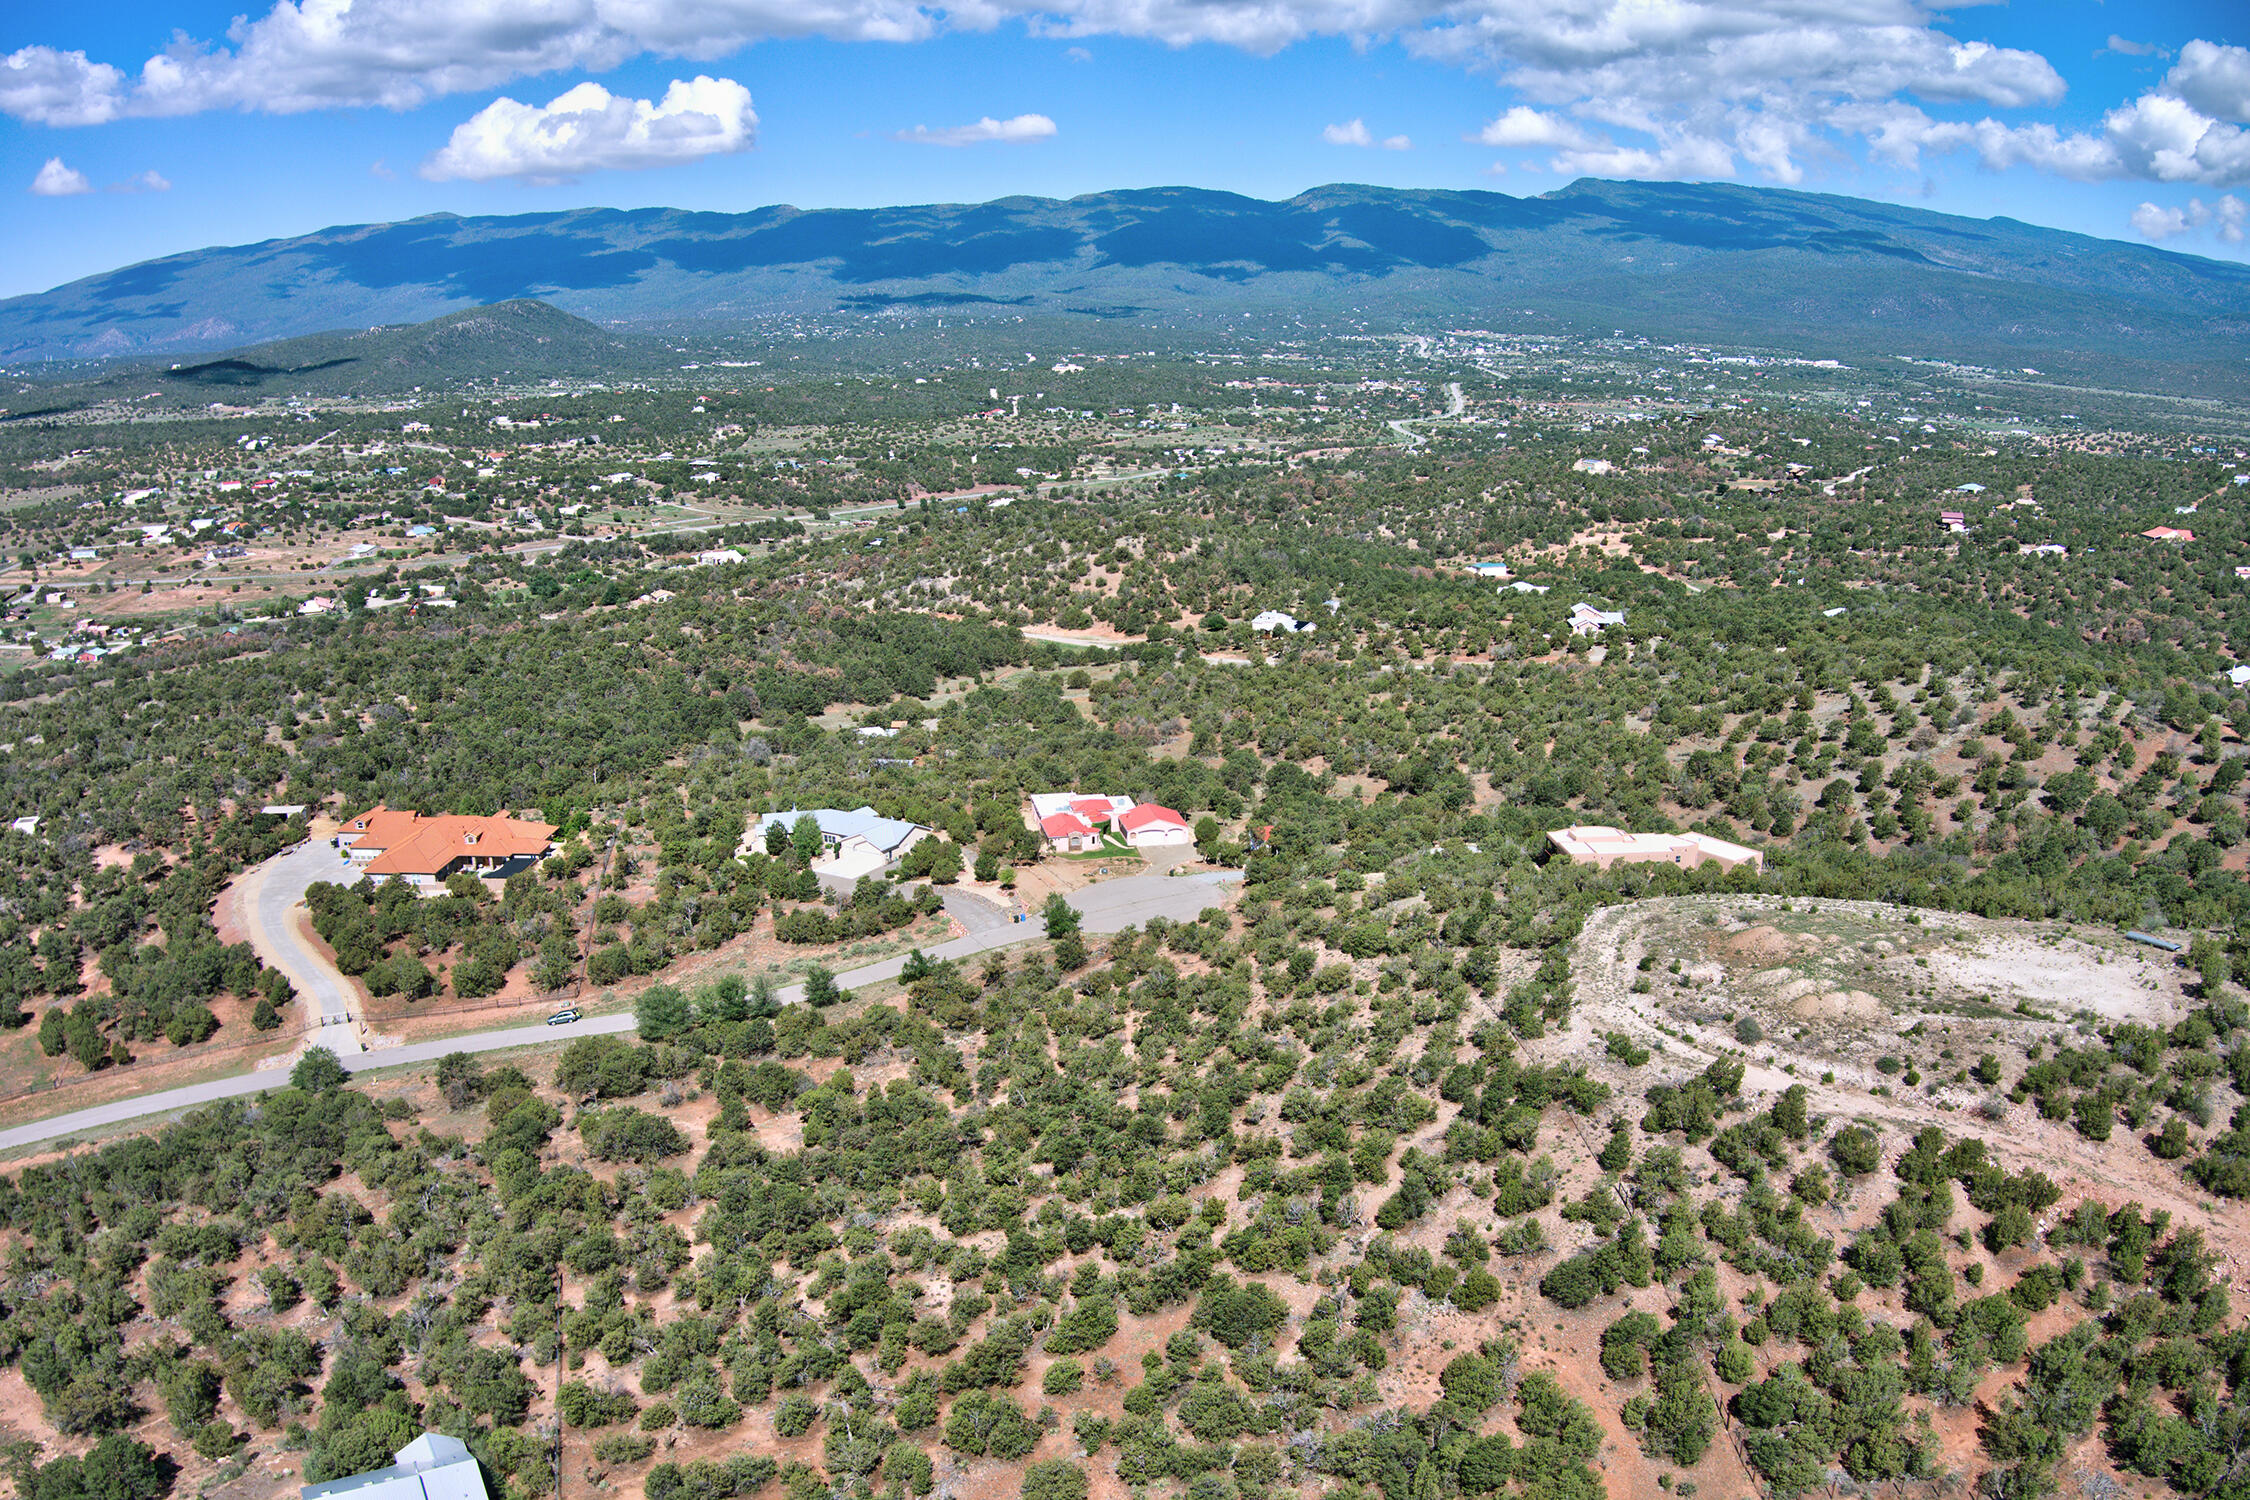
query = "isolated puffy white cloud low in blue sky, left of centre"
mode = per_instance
[{"x": 591, "y": 129}]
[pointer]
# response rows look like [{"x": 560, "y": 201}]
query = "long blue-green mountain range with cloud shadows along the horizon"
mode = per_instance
[{"x": 1722, "y": 264}]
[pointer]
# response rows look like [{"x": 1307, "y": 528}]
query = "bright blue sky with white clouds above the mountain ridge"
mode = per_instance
[{"x": 150, "y": 127}]
